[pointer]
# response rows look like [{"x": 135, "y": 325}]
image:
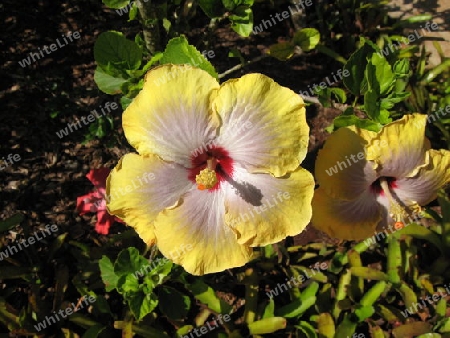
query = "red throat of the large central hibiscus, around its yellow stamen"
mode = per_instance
[{"x": 210, "y": 168}]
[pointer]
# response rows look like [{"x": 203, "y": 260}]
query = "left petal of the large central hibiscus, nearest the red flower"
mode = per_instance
[{"x": 139, "y": 188}]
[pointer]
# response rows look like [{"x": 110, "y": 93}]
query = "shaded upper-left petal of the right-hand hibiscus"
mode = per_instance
[{"x": 341, "y": 167}]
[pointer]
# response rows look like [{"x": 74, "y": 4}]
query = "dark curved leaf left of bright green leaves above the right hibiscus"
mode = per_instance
[{"x": 355, "y": 66}]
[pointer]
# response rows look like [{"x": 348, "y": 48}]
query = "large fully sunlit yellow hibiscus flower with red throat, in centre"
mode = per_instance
[{"x": 221, "y": 167}]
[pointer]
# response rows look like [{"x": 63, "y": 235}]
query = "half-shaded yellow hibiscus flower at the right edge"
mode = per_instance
[{"x": 369, "y": 180}]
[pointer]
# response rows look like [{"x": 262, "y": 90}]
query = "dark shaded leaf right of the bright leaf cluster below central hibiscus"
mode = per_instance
[{"x": 173, "y": 303}]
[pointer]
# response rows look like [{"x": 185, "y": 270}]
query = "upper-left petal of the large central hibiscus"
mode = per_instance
[{"x": 171, "y": 117}]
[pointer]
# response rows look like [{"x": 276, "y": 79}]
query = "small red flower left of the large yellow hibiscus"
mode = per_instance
[{"x": 95, "y": 201}]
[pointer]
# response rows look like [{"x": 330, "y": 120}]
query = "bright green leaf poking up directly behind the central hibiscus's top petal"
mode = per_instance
[{"x": 179, "y": 51}]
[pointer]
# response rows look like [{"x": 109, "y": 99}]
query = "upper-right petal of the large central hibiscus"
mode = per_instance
[{"x": 263, "y": 124}]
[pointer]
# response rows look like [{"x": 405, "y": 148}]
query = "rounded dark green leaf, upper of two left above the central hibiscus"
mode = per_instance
[{"x": 113, "y": 48}]
